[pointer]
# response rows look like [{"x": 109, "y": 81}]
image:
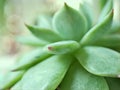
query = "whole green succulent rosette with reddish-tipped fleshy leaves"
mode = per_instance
[{"x": 75, "y": 55}]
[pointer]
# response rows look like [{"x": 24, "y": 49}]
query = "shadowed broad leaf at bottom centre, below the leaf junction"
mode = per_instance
[{"x": 78, "y": 78}]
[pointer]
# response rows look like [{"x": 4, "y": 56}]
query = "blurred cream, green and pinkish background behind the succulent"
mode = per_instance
[{"x": 14, "y": 14}]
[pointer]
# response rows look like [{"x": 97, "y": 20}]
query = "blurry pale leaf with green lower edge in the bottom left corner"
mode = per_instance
[{"x": 10, "y": 79}]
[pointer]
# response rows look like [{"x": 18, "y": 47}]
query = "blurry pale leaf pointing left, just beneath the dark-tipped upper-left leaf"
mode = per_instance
[{"x": 30, "y": 40}]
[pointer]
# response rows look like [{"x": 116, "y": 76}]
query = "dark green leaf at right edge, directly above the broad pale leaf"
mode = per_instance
[{"x": 112, "y": 41}]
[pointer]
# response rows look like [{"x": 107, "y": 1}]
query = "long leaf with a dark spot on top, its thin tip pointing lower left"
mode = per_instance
[{"x": 30, "y": 59}]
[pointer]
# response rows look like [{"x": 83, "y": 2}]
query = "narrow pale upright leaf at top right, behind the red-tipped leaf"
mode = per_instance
[{"x": 107, "y": 8}]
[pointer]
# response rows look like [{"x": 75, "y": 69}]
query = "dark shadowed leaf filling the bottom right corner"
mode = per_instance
[{"x": 114, "y": 83}]
